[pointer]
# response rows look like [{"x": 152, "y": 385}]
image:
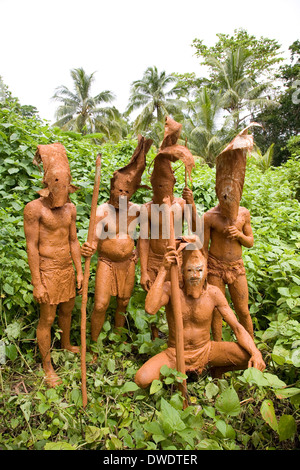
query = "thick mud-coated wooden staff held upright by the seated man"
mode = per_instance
[{"x": 176, "y": 307}]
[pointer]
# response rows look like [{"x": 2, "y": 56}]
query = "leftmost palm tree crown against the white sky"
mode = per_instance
[{"x": 83, "y": 113}]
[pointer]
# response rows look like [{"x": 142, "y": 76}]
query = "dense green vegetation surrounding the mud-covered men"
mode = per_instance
[{"x": 244, "y": 410}]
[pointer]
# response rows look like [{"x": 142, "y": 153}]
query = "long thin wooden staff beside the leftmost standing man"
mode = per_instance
[{"x": 86, "y": 276}]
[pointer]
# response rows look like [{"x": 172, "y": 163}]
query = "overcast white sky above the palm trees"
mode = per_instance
[{"x": 41, "y": 41}]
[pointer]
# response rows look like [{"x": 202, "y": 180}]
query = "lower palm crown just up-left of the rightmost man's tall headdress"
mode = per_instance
[{"x": 204, "y": 127}]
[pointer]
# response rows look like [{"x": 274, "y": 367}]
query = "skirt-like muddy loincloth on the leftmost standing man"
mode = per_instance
[{"x": 58, "y": 278}]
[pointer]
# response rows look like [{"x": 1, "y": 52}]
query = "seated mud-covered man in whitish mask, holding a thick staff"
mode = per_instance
[{"x": 198, "y": 301}]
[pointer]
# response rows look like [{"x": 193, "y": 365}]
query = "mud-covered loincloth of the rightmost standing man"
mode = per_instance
[{"x": 227, "y": 271}]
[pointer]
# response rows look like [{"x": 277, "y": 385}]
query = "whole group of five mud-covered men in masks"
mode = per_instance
[{"x": 207, "y": 260}]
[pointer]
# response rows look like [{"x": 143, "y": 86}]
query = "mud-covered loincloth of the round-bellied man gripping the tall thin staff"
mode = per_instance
[{"x": 119, "y": 274}]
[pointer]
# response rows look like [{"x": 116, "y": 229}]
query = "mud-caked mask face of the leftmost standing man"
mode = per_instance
[{"x": 58, "y": 184}]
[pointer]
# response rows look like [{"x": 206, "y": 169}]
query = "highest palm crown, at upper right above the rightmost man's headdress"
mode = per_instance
[{"x": 241, "y": 93}]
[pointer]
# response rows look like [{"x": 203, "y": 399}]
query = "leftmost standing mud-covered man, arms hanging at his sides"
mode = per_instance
[{"x": 52, "y": 245}]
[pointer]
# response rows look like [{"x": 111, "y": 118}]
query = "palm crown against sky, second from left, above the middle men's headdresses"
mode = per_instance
[{"x": 153, "y": 94}]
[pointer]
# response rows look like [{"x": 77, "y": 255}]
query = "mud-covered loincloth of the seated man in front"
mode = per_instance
[{"x": 195, "y": 359}]
